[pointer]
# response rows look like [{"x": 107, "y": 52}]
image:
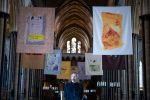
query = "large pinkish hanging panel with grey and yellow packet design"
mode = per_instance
[{"x": 36, "y": 30}]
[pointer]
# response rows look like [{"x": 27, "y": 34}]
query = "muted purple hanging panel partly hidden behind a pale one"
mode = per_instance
[{"x": 81, "y": 71}]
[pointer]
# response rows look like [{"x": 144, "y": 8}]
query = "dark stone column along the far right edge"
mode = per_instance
[{"x": 146, "y": 53}]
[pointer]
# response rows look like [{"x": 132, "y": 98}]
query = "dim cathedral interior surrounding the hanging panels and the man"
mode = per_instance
[{"x": 74, "y": 22}]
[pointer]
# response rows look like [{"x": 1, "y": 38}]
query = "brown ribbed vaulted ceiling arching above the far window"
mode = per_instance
[{"x": 73, "y": 19}]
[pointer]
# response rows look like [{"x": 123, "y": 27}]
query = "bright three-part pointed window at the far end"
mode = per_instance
[{"x": 73, "y": 46}]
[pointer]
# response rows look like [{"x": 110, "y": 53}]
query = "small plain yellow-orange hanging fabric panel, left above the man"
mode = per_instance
[{"x": 66, "y": 70}]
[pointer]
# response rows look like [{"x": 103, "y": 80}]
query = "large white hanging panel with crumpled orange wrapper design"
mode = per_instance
[{"x": 112, "y": 31}]
